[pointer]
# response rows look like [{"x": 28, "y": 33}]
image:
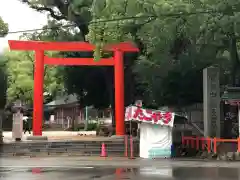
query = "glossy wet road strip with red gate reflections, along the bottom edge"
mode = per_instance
[{"x": 99, "y": 173}]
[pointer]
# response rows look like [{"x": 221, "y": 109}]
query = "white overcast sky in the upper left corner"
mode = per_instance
[{"x": 19, "y": 17}]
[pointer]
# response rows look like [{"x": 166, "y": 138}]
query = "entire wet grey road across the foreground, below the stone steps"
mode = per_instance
[{"x": 76, "y": 168}]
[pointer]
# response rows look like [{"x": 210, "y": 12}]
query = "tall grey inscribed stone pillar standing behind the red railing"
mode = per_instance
[{"x": 211, "y": 102}]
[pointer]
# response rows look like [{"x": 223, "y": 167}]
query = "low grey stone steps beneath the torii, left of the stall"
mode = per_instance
[{"x": 62, "y": 144}]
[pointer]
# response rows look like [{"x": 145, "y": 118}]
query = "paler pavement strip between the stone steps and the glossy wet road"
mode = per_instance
[{"x": 110, "y": 161}]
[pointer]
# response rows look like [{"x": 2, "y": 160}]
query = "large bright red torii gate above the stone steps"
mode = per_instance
[{"x": 40, "y": 60}]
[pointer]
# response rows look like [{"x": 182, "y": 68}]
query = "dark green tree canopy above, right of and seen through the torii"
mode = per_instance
[{"x": 177, "y": 39}]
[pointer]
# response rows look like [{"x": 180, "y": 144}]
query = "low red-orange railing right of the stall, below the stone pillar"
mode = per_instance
[{"x": 202, "y": 142}]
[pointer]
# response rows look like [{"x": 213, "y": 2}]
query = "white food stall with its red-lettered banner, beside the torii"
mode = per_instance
[{"x": 155, "y": 131}]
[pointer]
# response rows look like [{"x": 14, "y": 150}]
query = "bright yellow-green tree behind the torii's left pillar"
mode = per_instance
[{"x": 20, "y": 71}]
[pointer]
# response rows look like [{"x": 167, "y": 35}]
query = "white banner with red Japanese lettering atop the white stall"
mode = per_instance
[{"x": 149, "y": 116}]
